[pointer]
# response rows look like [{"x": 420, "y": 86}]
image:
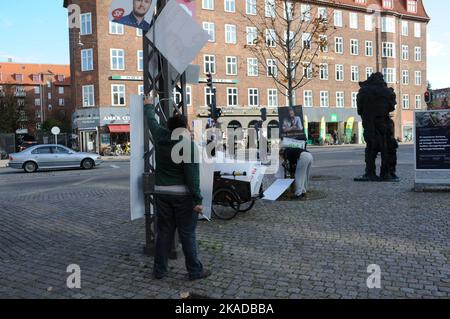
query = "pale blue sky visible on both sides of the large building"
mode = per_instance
[{"x": 36, "y": 32}]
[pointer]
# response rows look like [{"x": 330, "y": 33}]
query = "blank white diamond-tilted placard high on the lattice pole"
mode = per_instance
[{"x": 177, "y": 36}]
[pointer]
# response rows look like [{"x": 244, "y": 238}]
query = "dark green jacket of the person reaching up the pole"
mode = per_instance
[{"x": 169, "y": 173}]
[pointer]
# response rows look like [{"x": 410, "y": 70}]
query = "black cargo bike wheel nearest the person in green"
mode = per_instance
[{"x": 225, "y": 204}]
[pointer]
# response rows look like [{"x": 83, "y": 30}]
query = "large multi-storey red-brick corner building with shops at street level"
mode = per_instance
[{"x": 106, "y": 61}]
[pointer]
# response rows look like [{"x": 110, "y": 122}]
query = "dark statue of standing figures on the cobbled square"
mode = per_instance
[{"x": 375, "y": 103}]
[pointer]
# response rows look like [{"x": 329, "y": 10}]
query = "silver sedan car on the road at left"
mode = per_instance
[{"x": 48, "y": 156}]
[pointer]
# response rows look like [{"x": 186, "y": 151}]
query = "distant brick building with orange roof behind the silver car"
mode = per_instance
[{"x": 43, "y": 90}]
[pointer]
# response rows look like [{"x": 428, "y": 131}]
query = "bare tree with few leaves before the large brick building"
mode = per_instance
[{"x": 287, "y": 37}]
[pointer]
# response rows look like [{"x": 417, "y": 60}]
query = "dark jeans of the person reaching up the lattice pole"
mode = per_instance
[{"x": 176, "y": 212}]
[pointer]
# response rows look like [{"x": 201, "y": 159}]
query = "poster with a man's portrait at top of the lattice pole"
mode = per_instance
[{"x": 134, "y": 13}]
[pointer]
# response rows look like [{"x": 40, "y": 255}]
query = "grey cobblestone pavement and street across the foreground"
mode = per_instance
[{"x": 312, "y": 249}]
